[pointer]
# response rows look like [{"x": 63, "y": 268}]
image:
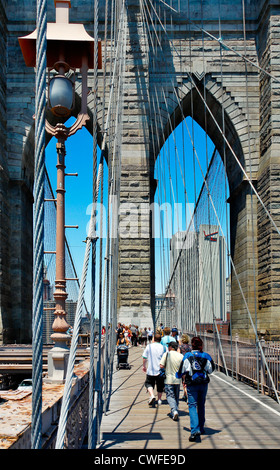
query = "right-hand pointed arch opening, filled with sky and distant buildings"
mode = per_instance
[{"x": 194, "y": 230}]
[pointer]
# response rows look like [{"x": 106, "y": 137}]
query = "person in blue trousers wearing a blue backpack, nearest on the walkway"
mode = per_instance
[{"x": 196, "y": 366}]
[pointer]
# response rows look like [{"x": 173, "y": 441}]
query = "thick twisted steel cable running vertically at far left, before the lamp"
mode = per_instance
[{"x": 37, "y": 320}]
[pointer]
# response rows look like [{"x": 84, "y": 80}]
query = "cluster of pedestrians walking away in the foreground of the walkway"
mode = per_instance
[{"x": 169, "y": 360}]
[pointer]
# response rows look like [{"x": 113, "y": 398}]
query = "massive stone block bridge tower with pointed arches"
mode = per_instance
[{"x": 245, "y": 91}]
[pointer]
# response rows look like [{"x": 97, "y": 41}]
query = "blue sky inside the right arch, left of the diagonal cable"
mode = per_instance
[{"x": 177, "y": 167}]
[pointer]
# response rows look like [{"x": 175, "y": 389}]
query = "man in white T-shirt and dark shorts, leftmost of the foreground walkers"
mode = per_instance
[{"x": 151, "y": 365}]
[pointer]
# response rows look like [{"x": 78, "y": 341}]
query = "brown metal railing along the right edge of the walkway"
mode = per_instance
[{"x": 242, "y": 360}]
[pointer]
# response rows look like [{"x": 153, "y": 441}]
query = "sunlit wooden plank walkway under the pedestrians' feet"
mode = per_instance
[{"x": 237, "y": 416}]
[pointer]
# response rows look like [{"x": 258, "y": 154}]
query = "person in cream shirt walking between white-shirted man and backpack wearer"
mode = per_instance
[{"x": 171, "y": 361}]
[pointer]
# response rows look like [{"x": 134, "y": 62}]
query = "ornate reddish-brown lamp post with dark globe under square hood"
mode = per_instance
[{"x": 68, "y": 47}]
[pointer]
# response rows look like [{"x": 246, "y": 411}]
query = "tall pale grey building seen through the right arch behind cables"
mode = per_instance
[{"x": 199, "y": 278}]
